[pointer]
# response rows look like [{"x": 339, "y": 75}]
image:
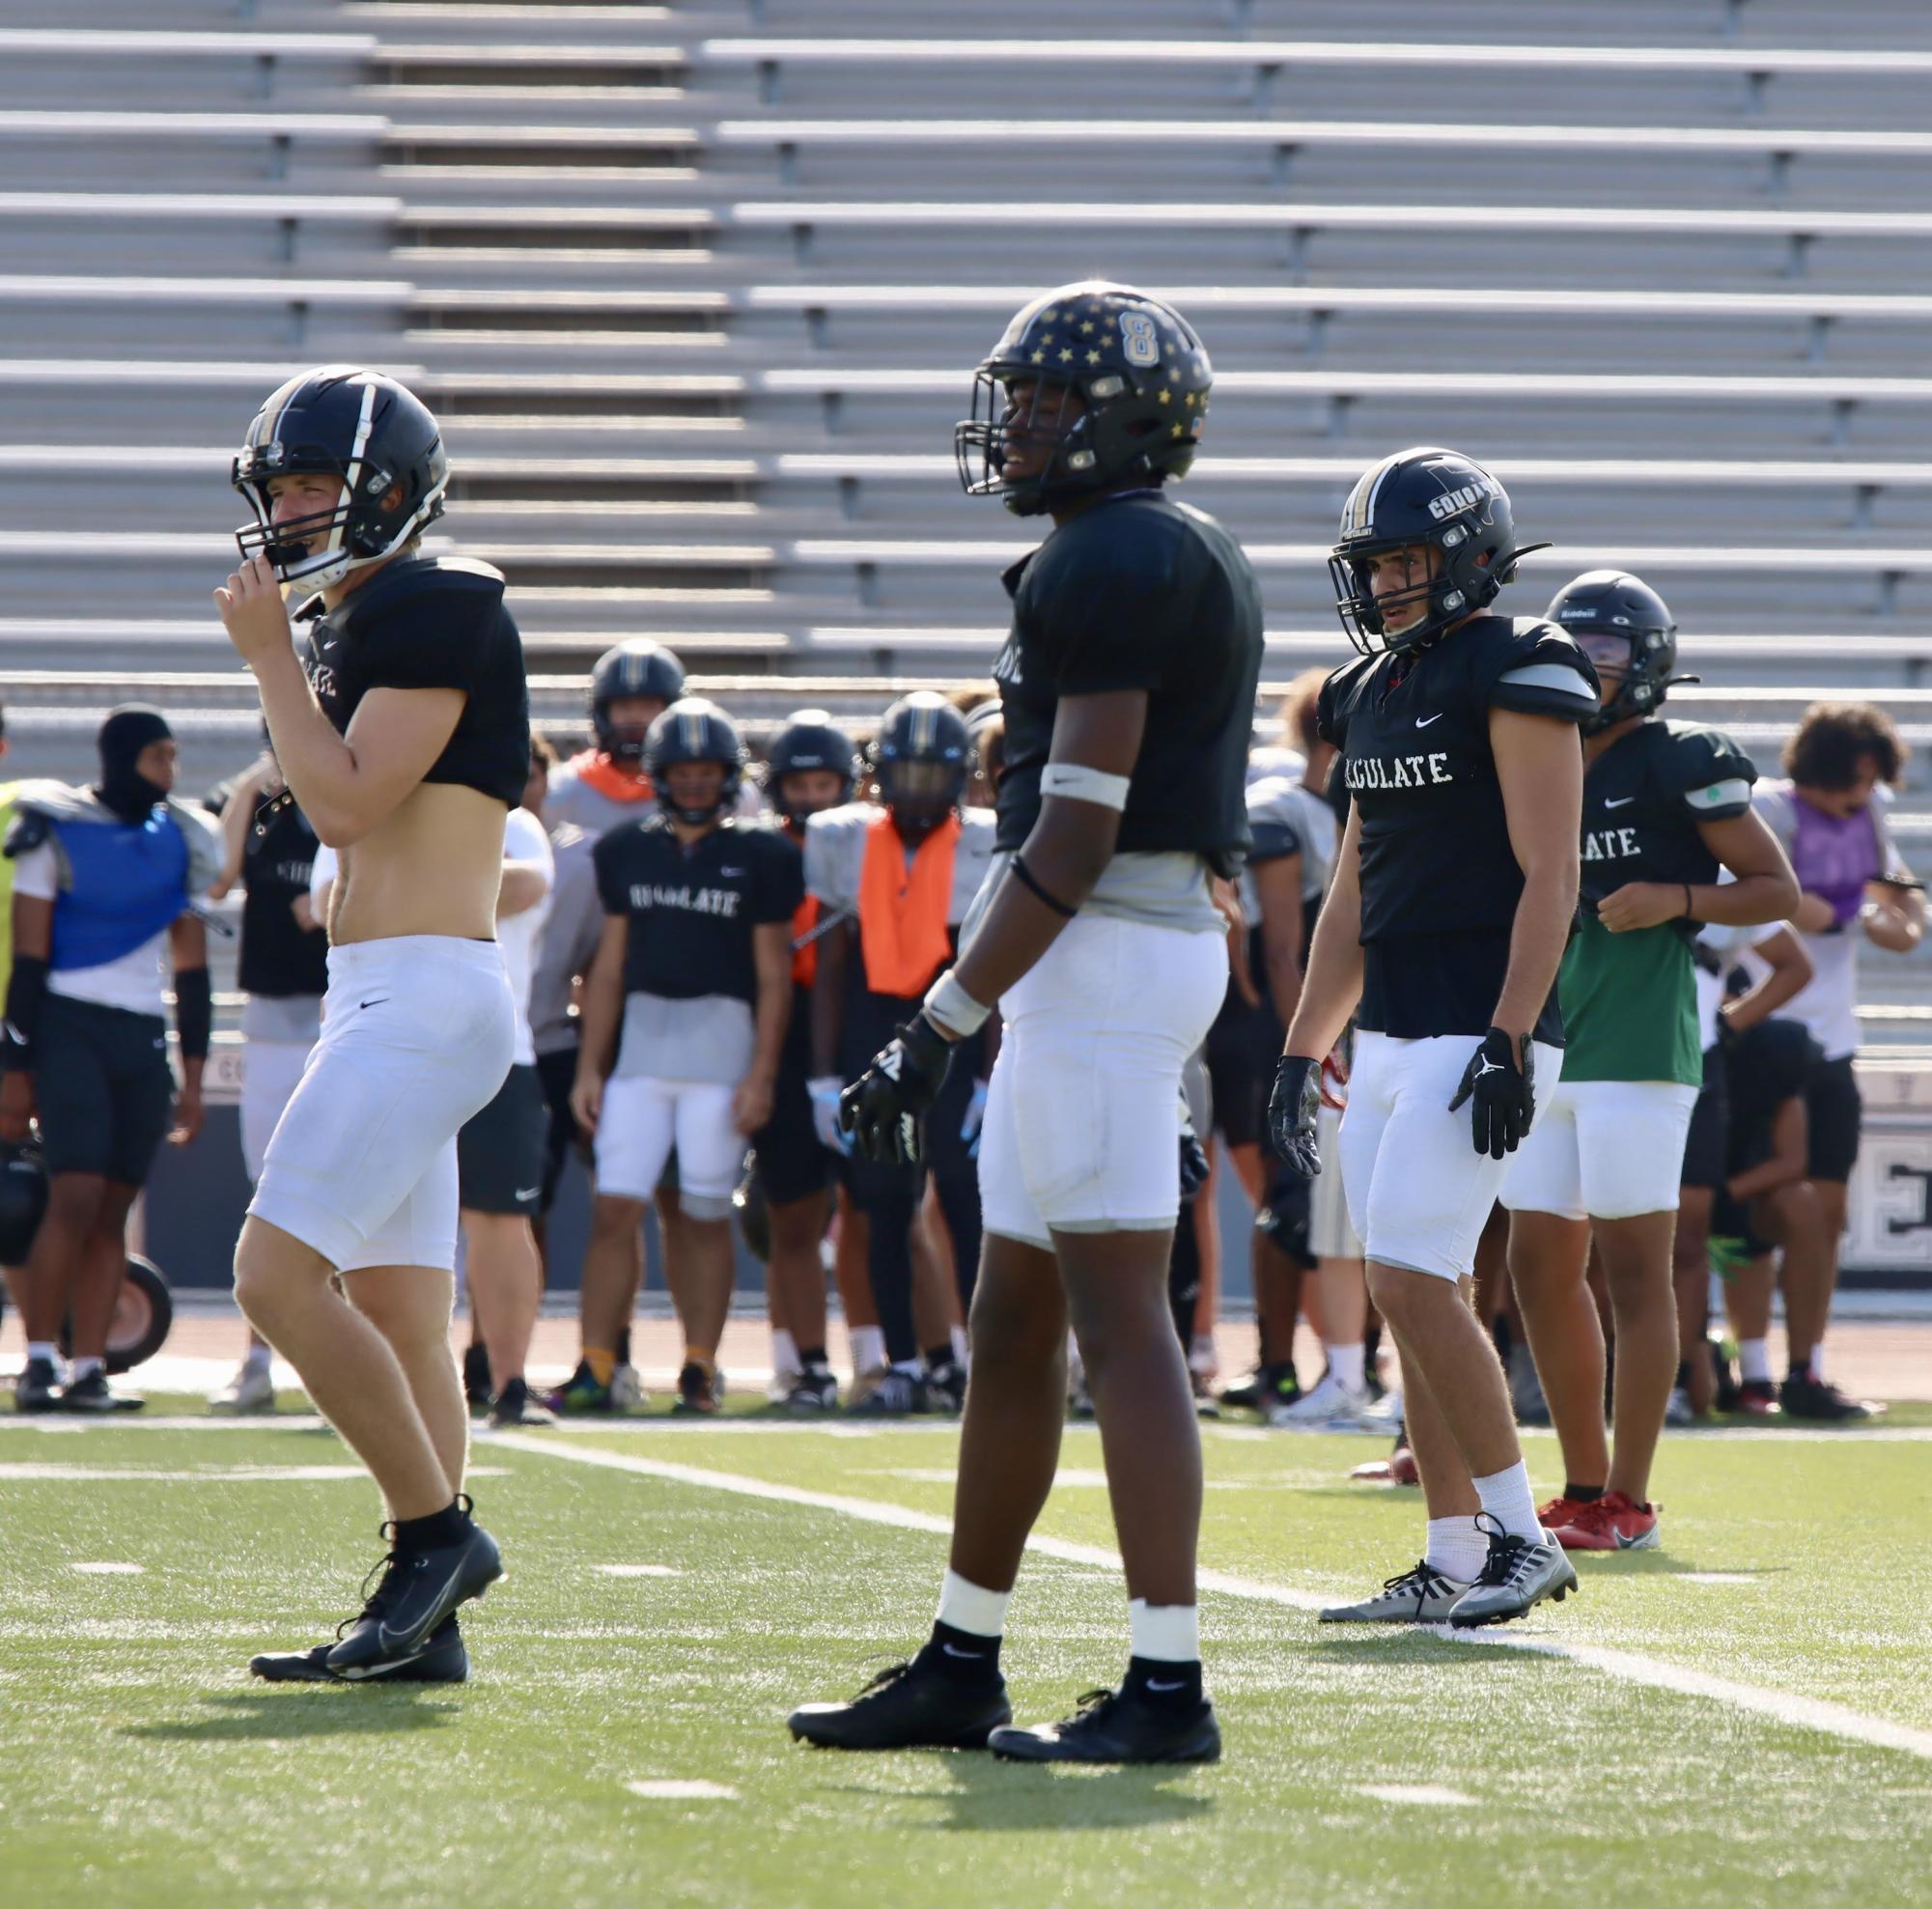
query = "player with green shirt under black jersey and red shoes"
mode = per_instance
[{"x": 1666, "y": 807}]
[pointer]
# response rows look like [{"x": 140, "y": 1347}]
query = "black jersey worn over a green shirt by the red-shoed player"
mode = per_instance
[{"x": 1643, "y": 801}]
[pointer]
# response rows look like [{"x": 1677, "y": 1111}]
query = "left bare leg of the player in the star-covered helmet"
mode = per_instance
[{"x": 1015, "y": 1410}]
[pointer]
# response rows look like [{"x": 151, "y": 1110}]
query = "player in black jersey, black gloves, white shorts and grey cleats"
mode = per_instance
[{"x": 1442, "y": 932}]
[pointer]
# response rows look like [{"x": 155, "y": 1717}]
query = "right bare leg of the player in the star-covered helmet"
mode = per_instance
[{"x": 1139, "y": 1381}]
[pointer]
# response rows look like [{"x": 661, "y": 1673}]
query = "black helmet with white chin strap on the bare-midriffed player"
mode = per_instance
[{"x": 374, "y": 440}]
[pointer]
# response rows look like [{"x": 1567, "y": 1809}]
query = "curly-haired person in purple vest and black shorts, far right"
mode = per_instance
[{"x": 1831, "y": 816}]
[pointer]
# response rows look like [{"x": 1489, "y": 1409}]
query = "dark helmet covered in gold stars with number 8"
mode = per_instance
[{"x": 1093, "y": 387}]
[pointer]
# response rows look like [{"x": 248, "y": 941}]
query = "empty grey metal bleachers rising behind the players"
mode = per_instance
[{"x": 698, "y": 291}]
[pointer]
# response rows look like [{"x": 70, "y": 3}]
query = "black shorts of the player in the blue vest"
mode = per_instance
[{"x": 103, "y": 1089}]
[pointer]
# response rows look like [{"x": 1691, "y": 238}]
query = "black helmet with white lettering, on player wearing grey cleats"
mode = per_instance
[{"x": 1450, "y": 509}]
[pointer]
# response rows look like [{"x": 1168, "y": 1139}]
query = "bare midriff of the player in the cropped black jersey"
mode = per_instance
[{"x": 432, "y": 869}]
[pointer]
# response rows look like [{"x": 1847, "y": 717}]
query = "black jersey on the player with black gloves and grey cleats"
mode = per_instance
[{"x": 1440, "y": 880}]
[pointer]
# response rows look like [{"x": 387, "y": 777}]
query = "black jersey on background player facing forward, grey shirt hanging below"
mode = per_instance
[{"x": 693, "y": 909}]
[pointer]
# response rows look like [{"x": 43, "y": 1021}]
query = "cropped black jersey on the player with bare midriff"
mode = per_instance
[{"x": 430, "y": 625}]
